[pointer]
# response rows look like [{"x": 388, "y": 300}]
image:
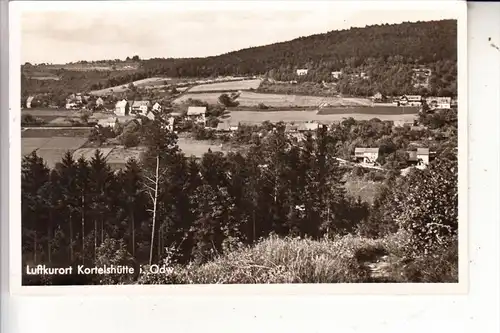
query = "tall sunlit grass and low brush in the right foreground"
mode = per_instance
[{"x": 348, "y": 259}]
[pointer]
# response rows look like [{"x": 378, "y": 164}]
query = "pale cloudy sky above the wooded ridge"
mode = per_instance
[{"x": 97, "y": 33}]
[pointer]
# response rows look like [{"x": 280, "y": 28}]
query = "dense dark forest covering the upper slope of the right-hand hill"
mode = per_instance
[{"x": 422, "y": 43}]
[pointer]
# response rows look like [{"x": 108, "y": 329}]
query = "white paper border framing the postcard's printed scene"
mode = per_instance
[{"x": 230, "y": 290}]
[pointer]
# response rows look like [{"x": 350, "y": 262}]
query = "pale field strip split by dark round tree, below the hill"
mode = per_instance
[{"x": 248, "y": 98}]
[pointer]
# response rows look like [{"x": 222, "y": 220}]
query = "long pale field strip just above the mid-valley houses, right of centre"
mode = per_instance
[{"x": 257, "y": 117}]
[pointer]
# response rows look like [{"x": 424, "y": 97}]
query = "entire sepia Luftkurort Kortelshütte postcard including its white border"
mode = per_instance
[{"x": 172, "y": 145}]
